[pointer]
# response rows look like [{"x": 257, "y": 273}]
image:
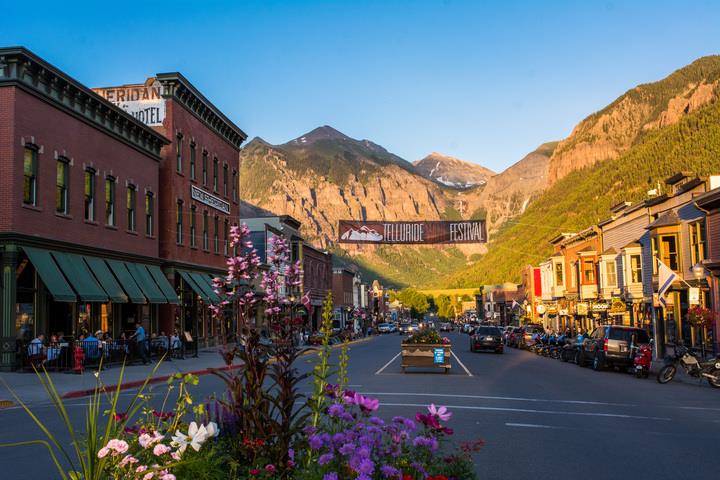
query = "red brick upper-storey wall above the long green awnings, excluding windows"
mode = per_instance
[{"x": 57, "y": 133}]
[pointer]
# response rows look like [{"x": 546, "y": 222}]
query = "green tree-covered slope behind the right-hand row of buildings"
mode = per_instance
[{"x": 584, "y": 197}]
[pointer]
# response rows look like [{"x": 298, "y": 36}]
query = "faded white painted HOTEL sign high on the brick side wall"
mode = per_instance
[{"x": 144, "y": 102}]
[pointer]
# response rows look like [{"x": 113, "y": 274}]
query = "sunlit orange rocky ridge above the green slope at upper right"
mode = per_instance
[{"x": 621, "y": 125}]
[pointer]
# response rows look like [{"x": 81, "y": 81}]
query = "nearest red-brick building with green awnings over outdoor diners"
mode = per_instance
[{"x": 78, "y": 208}]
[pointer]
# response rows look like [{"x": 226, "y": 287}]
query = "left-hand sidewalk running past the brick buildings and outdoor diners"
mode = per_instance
[{"x": 70, "y": 385}]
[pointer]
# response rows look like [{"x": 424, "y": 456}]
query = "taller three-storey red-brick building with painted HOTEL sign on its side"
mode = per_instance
[{"x": 199, "y": 202}]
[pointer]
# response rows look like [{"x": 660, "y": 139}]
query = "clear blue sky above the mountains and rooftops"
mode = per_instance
[{"x": 484, "y": 81}]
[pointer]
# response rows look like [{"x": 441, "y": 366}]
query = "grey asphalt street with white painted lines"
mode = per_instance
[{"x": 540, "y": 418}]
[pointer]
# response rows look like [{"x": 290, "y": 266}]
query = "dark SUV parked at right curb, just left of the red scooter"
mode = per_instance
[{"x": 609, "y": 346}]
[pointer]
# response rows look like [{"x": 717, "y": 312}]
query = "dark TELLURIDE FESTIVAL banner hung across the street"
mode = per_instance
[{"x": 431, "y": 232}]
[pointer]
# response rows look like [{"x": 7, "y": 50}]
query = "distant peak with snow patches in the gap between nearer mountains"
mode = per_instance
[{"x": 451, "y": 171}]
